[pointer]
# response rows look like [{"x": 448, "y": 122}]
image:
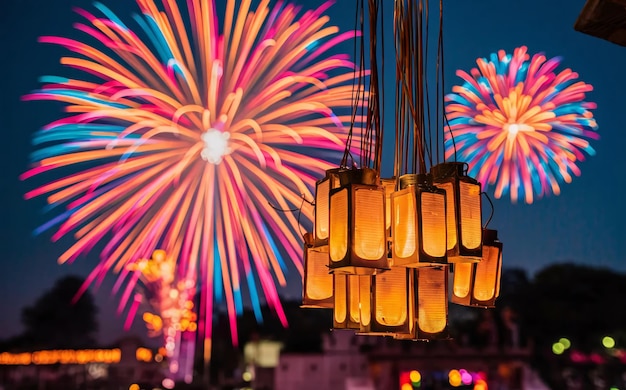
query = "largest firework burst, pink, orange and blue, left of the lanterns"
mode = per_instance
[{"x": 182, "y": 138}]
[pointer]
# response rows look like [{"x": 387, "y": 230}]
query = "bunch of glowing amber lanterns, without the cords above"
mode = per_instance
[{"x": 398, "y": 286}]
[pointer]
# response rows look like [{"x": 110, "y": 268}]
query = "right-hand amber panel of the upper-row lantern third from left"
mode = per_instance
[{"x": 434, "y": 224}]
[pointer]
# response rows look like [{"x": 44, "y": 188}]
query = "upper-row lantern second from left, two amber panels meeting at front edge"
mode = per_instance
[{"x": 357, "y": 240}]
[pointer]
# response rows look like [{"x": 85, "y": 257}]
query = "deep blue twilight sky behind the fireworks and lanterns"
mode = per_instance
[{"x": 584, "y": 224}]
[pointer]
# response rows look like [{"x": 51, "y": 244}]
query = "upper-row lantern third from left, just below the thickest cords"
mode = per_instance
[{"x": 418, "y": 231}]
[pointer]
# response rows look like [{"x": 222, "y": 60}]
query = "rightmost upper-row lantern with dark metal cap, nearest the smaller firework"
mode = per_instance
[{"x": 463, "y": 212}]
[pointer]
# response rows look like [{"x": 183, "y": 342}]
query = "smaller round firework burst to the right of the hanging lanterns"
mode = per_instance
[{"x": 520, "y": 125}]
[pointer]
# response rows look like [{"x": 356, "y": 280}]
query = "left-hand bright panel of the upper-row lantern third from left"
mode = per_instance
[{"x": 404, "y": 224}]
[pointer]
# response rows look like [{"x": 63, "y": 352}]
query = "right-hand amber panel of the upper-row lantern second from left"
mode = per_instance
[{"x": 369, "y": 224}]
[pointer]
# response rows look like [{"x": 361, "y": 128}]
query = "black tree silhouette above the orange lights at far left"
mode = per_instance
[{"x": 57, "y": 320}]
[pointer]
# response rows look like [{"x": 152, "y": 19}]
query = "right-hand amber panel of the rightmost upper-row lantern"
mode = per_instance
[{"x": 470, "y": 215}]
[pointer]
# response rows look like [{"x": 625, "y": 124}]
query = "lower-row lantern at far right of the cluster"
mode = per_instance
[{"x": 478, "y": 284}]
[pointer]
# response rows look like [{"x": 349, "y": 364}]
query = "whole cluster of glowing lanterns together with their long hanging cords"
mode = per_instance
[{"x": 382, "y": 250}]
